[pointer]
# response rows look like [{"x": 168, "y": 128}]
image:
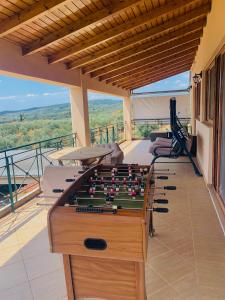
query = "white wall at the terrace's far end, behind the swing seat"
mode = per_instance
[{"x": 150, "y": 107}]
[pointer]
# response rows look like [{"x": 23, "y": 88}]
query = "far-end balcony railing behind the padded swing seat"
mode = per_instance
[{"x": 141, "y": 128}]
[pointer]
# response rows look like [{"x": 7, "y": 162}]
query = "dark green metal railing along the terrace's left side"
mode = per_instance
[{"x": 21, "y": 167}]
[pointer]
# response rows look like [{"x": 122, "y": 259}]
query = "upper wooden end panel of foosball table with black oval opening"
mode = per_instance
[{"x": 123, "y": 234}]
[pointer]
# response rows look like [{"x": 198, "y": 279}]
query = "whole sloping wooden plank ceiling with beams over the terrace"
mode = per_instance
[{"x": 128, "y": 43}]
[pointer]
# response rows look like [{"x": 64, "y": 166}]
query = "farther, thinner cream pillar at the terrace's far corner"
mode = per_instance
[{"x": 127, "y": 117}]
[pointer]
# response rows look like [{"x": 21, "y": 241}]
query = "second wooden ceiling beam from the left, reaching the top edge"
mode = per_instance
[{"x": 92, "y": 19}]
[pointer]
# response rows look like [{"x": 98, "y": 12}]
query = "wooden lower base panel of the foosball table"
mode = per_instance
[{"x": 107, "y": 279}]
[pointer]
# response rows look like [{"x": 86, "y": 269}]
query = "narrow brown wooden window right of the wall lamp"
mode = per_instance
[{"x": 210, "y": 93}]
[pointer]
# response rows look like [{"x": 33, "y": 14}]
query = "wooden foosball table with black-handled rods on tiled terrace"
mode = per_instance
[{"x": 101, "y": 225}]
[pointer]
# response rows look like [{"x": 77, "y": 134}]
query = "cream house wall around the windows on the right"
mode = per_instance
[{"x": 212, "y": 41}]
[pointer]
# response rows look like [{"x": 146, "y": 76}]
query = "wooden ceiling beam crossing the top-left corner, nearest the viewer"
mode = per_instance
[{"x": 27, "y": 15}]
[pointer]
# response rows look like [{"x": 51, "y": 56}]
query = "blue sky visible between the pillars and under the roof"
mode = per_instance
[{"x": 18, "y": 94}]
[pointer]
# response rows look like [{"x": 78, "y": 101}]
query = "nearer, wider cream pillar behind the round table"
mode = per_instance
[{"x": 80, "y": 115}]
